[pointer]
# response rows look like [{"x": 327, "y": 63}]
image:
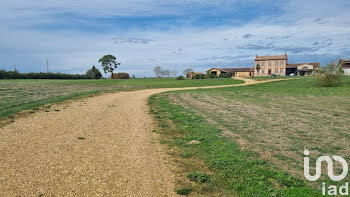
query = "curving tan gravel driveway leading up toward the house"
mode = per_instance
[{"x": 99, "y": 146}]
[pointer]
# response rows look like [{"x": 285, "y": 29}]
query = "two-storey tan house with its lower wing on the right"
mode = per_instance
[{"x": 278, "y": 64}]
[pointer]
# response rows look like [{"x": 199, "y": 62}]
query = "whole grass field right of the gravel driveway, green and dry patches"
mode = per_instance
[{"x": 253, "y": 137}]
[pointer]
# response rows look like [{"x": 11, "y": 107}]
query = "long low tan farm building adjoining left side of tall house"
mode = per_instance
[{"x": 235, "y": 72}]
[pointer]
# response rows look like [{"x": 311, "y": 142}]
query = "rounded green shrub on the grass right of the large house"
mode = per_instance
[{"x": 330, "y": 76}]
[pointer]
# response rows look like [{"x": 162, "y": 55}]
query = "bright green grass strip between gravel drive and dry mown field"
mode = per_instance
[{"x": 235, "y": 172}]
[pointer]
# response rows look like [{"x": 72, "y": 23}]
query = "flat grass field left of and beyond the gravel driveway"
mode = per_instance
[{"x": 18, "y": 95}]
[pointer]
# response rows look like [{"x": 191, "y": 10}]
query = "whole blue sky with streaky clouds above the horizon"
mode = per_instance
[{"x": 173, "y": 34}]
